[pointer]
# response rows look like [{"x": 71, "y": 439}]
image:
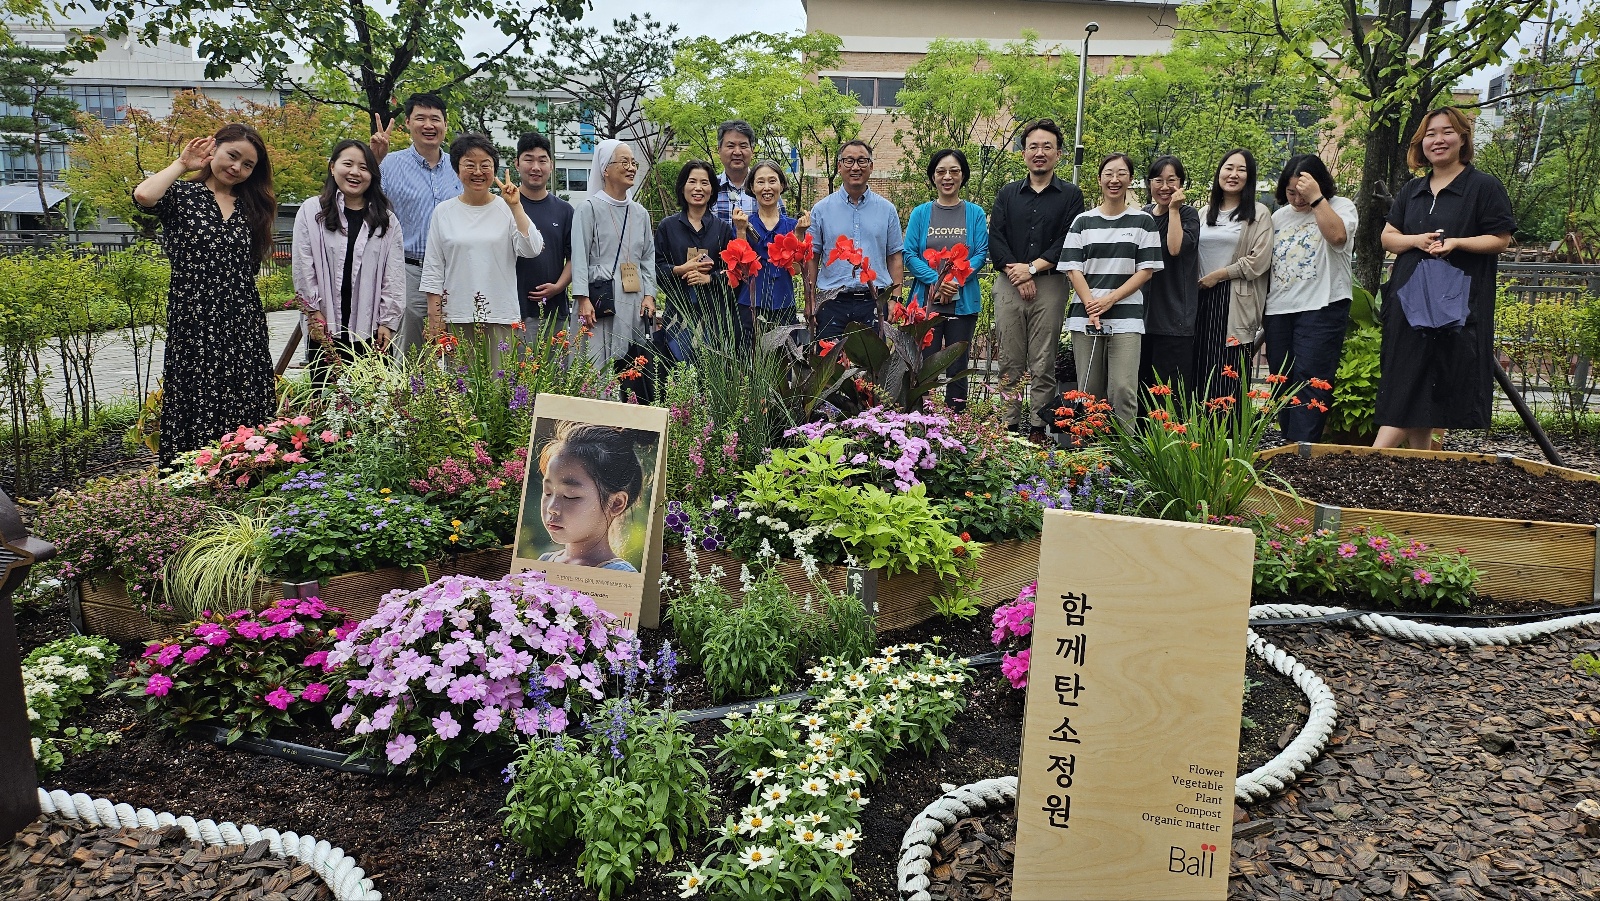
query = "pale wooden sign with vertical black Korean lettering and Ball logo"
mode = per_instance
[{"x": 1130, "y": 742}]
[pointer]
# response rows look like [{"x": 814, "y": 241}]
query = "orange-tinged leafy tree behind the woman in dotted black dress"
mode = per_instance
[{"x": 110, "y": 161}]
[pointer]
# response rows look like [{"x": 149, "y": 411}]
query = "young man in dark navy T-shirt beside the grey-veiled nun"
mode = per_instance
[{"x": 542, "y": 281}]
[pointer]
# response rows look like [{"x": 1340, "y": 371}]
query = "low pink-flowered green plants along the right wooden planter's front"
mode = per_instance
[{"x": 1369, "y": 563}]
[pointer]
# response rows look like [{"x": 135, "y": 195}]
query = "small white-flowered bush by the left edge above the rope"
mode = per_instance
[{"x": 57, "y": 679}]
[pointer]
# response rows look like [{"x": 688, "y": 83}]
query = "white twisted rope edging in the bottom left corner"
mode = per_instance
[{"x": 340, "y": 871}]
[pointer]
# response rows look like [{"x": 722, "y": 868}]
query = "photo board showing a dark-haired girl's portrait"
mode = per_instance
[{"x": 591, "y": 507}]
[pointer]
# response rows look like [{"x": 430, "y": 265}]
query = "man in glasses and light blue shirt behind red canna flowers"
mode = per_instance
[{"x": 836, "y": 294}]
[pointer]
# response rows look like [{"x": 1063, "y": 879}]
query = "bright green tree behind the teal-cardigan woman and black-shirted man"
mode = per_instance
[{"x": 975, "y": 98}]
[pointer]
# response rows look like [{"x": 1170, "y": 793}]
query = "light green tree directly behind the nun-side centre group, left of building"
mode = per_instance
[{"x": 769, "y": 81}]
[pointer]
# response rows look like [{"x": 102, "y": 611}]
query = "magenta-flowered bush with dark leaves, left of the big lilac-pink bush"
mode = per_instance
[{"x": 246, "y": 671}]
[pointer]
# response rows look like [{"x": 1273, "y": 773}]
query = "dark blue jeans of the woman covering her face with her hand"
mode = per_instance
[{"x": 1306, "y": 346}]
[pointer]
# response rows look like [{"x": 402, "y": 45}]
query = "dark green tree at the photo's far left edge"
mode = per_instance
[{"x": 42, "y": 114}]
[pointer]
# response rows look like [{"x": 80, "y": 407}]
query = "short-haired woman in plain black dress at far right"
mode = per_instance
[{"x": 1442, "y": 380}]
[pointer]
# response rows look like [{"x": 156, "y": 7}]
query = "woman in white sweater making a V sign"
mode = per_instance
[{"x": 470, "y": 273}]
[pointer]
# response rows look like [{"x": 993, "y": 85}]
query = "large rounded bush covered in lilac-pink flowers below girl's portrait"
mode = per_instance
[{"x": 466, "y": 665}]
